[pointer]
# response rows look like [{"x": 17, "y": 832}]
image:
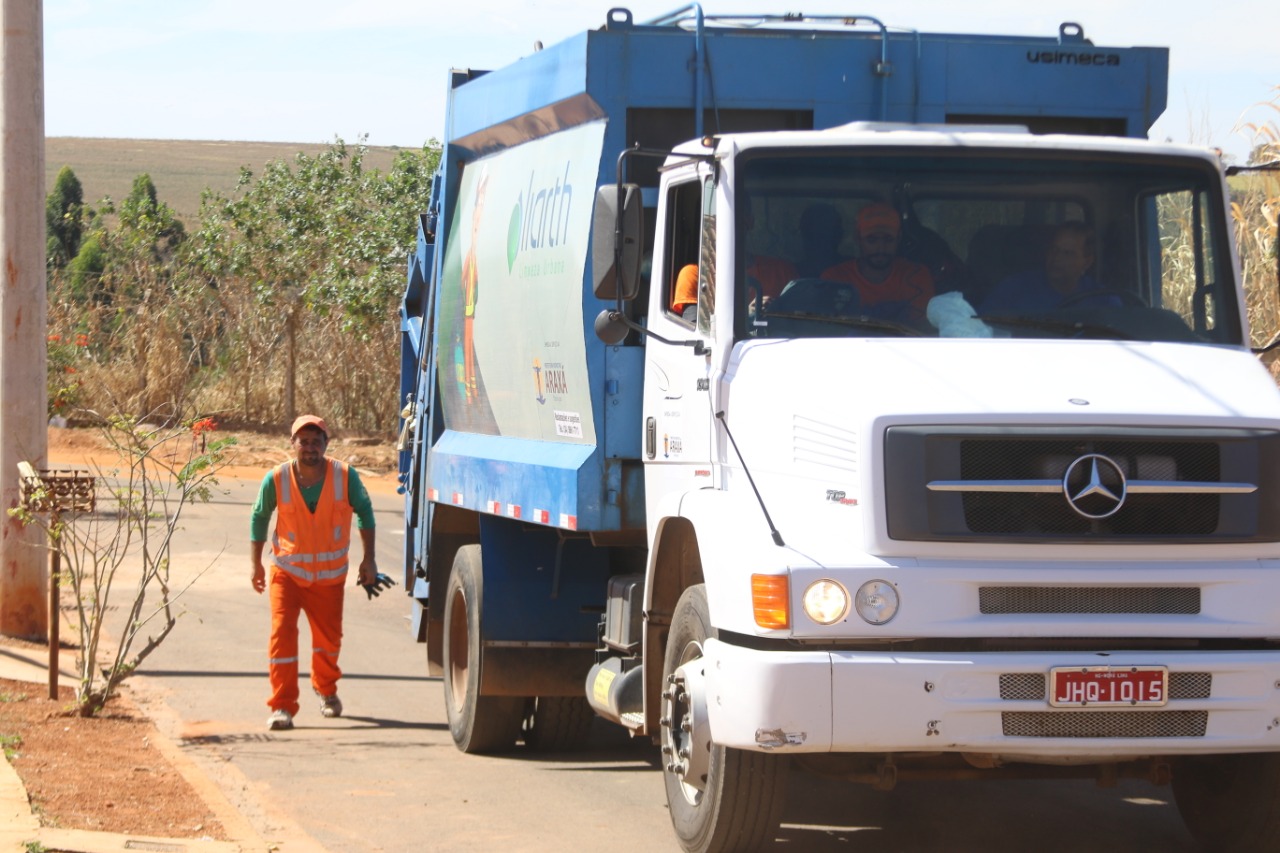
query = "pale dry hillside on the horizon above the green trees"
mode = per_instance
[{"x": 180, "y": 170}]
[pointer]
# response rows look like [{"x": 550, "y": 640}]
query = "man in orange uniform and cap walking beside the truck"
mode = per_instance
[{"x": 314, "y": 499}]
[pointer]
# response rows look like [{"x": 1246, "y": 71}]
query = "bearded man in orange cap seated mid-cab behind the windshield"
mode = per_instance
[{"x": 889, "y": 288}]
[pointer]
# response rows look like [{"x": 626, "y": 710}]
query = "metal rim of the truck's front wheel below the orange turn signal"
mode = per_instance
[{"x": 685, "y": 732}]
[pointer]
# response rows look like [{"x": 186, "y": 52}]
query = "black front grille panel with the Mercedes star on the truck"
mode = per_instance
[{"x": 1058, "y": 485}]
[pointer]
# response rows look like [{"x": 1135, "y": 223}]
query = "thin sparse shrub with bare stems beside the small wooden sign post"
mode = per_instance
[{"x": 130, "y": 536}]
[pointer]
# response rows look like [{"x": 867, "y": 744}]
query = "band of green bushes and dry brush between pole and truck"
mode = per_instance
[{"x": 292, "y": 281}]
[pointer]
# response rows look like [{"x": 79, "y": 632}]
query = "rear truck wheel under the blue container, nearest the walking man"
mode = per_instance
[{"x": 478, "y": 723}]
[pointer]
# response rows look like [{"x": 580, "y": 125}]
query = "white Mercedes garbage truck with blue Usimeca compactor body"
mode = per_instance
[{"x": 810, "y": 395}]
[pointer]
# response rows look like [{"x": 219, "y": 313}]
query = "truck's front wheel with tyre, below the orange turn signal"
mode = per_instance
[{"x": 720, "y": 799}]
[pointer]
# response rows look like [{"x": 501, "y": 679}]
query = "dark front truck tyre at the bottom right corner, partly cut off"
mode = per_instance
[{"x": 1231, "y": 802}]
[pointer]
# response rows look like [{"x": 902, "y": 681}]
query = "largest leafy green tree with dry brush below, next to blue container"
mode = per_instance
[{"x": 309, "y": 259}]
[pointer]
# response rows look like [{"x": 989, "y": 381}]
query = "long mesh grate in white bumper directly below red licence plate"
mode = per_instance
[{"x": 1105, "y": 724}]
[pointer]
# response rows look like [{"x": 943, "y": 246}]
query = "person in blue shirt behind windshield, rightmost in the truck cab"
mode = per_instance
[{"x": 1064, "y": 279}]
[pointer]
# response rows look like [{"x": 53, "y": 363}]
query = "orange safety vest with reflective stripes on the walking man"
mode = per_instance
[{"x": 313, "y": 548}]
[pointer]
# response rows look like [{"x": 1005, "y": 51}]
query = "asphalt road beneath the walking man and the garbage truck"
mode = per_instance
[{"x": 387, "y": 777}]
